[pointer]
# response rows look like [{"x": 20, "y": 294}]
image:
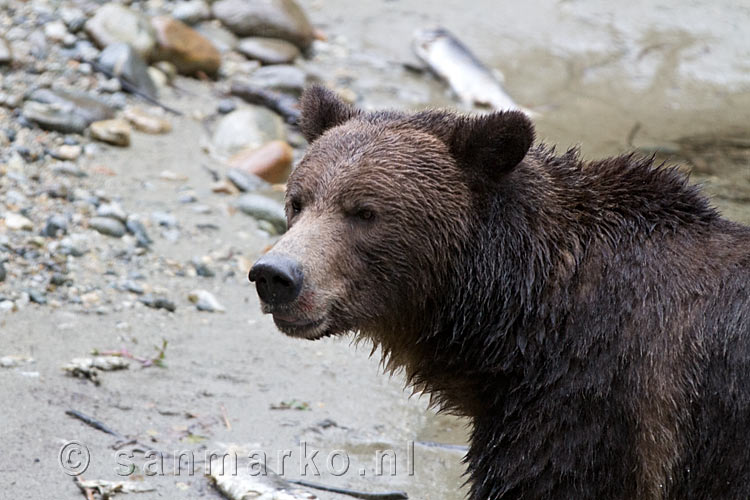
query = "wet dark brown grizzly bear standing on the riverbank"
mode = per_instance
[{"x": 591, "y": 318}]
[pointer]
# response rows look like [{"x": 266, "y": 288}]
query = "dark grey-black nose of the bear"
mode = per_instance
[{"x": 278, "y": 279}]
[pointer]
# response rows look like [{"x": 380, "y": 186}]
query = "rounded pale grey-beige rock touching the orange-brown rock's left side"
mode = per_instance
[{"x": 114, "y": 23}]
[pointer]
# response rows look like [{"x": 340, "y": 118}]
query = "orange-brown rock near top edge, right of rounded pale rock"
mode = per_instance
[{"x": 184, "y": 47}]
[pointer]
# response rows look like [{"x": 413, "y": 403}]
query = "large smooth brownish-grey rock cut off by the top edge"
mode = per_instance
[{"x": 269, "y": 18}]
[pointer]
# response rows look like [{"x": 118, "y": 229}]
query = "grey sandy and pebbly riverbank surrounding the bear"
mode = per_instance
[{"x": 143, "y": 151}]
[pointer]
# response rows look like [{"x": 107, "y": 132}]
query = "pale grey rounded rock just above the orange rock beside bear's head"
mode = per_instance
[{"x": 249, "y": 127}]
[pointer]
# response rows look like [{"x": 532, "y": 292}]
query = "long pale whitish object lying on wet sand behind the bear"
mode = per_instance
[{"x": 452, "y": 61}]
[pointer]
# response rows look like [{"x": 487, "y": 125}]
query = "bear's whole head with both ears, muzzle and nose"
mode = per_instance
[{"x": 379, "y": 209}]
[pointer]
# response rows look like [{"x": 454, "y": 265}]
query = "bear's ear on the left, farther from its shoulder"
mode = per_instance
[{"x": 321, "y": 110}]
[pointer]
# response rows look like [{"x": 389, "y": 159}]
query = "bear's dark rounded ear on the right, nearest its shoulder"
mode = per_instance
[{"x": 493, "y": 143}]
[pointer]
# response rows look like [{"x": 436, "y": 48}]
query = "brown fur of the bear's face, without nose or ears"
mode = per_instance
[{"x": 364, "y": 208}]
